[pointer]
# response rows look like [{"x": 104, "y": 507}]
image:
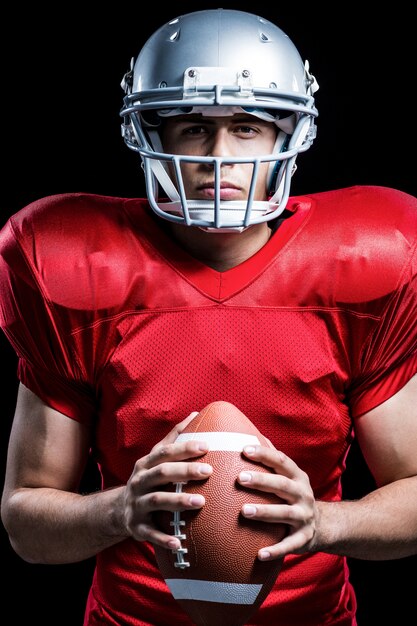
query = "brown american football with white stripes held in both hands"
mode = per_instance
[{"x": 216, "y": 575}]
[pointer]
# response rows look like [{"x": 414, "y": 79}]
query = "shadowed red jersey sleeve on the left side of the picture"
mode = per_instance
[{"x": 47, "y": 364}]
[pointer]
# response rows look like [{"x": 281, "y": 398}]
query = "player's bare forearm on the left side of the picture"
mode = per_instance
[{"x": 52, "y": 526}]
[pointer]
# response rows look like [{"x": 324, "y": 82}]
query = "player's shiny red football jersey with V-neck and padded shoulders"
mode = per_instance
[{"x": 115, "y": 324}]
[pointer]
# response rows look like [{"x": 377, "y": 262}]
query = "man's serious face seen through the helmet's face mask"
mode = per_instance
[{"x": 239, "y": 135}]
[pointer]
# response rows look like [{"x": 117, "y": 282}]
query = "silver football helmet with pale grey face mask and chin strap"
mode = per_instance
[{"x": 203, "y": 62}]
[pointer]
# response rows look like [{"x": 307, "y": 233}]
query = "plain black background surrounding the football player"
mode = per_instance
[{"x": 60, "y": 132}]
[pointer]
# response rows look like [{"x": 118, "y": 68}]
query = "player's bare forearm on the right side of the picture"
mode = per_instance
[{"x": 380, "y": 526}]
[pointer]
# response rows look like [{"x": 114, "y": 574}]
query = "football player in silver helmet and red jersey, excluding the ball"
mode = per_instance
[{"x": 129, "y": 315}]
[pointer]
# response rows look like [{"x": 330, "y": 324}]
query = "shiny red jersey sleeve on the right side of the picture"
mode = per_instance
[{"x": 389, "y": 357}]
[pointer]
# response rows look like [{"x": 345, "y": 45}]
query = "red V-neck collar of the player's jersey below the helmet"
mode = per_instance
[{"x": 215, "y": 284}]
